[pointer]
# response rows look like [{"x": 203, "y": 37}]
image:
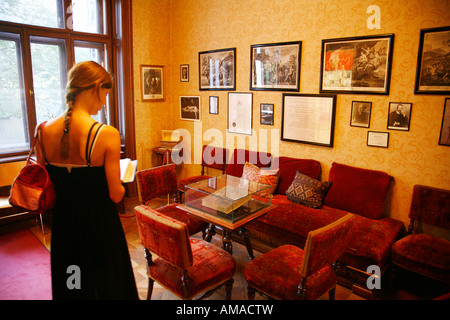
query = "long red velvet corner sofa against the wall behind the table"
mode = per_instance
[{"x": 356, "y": 190}]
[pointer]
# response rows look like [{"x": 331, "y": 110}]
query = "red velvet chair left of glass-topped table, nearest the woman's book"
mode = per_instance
[{"x": 162, "y": 181}]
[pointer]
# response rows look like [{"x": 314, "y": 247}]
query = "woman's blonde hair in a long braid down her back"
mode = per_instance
[{"x": 83, "y": 76}]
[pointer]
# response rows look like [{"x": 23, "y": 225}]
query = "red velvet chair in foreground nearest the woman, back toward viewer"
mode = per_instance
[{"x": 186, "y": 267}]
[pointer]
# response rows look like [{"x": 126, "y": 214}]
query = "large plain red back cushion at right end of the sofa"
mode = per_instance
[{"x": 357, "y": 190}]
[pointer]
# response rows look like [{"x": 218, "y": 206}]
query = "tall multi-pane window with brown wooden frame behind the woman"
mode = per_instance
[{"x": 39, "y": 43}]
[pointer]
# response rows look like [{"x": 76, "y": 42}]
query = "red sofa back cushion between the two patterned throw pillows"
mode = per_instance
[{"x": 288, "y": 168}]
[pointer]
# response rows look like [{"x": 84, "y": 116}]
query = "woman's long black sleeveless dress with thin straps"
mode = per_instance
[{"x": 89, "y": 253}]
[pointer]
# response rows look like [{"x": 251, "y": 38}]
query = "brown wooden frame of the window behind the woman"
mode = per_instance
[{"x": 118, "y": 40}]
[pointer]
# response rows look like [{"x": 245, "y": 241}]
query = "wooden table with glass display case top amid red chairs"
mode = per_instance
[{"x": 228, "y": 202}]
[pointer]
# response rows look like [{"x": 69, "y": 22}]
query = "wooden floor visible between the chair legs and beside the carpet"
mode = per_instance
[{"x": 418, "y": 290}]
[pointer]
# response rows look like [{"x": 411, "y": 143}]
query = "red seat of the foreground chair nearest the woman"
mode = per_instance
[{"x": 211, "y": 265}]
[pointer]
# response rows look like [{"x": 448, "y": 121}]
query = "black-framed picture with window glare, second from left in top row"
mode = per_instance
[{"x": 275, "y": 66}]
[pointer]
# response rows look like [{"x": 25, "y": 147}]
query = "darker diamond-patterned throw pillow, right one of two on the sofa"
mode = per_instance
[{"x": 307, "y": 191}]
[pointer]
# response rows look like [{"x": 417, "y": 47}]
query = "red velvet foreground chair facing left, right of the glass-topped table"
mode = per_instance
[{"x": 290, "y": 273}]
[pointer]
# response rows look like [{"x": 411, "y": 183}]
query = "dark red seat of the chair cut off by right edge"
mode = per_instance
[{"x": 424, "y": 254}]
